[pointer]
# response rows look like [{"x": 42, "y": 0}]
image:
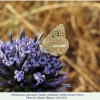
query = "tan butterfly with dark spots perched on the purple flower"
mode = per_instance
[{"x": 55, "y": 43}]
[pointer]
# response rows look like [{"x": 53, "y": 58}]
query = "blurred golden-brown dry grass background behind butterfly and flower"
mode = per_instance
[{"x": 82, "y": 25}]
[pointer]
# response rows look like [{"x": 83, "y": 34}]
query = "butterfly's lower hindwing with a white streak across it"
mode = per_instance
[{"x": 57, "y": 46}]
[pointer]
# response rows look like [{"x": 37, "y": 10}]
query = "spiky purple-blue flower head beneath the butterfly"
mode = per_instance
[{"x": 25, "y": 68}]
